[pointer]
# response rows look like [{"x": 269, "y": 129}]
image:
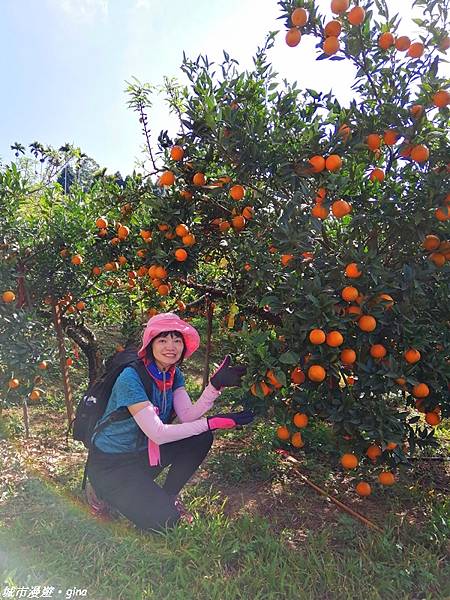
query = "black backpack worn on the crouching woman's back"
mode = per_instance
[{"x": 93, "y": 404}]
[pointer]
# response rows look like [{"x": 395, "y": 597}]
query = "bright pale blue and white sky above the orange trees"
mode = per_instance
[{"x": 64, "y": 64}]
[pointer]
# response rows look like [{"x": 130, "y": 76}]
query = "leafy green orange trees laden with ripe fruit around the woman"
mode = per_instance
[{"x": 318, "y": 233}]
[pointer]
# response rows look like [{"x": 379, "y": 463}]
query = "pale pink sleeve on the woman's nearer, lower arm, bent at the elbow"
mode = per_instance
[{"x": 160, "y": 433}]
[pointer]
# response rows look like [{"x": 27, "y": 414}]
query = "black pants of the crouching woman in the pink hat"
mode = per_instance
[{"x": 126, "y": 481}]
